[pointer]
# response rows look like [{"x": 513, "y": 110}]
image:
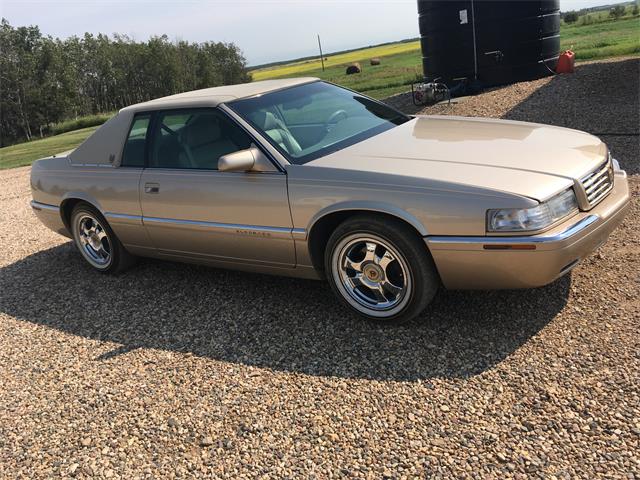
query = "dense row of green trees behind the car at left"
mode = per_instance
[{"x": 44, "y": 80}]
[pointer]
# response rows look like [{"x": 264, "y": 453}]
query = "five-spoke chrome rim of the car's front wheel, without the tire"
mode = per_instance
[{"x": 372, "y": 275}]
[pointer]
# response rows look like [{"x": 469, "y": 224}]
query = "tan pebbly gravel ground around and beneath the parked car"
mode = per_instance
[{"x": 173, "y": 370}]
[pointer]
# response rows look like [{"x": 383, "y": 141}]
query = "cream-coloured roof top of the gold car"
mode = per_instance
[{"x": 212, "y": 97}]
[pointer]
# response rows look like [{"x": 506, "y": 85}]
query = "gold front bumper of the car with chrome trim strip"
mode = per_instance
[{"x": 528, "y": 261}]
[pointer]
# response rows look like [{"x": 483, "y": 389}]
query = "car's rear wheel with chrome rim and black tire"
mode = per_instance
[{"x": 96, "y": 241}]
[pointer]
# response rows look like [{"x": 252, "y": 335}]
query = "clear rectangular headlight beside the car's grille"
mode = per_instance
[{"x": 535, "y": 218}]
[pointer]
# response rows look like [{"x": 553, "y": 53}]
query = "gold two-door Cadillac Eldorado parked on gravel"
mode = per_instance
[{"x": 304, "y": 178}]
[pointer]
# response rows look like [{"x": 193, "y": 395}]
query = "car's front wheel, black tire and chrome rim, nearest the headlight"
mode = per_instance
[{"x": 380, "y": 268}]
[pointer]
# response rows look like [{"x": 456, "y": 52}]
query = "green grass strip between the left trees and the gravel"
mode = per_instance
[{"x": 25, "y": 153}]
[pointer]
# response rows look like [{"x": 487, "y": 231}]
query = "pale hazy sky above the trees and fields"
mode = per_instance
[{"x": 265, "y": 30}]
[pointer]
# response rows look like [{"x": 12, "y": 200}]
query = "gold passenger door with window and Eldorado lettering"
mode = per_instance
[{"x": 190, "y": 209}]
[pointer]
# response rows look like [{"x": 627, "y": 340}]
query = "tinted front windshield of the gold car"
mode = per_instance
[{"x": 312, "y": 120}]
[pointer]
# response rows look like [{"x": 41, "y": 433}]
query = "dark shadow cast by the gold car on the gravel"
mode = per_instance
[{"x": 271, "y": 322}]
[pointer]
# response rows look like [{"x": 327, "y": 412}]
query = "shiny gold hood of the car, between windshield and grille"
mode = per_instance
[{"x": 526, "y": 159}]
